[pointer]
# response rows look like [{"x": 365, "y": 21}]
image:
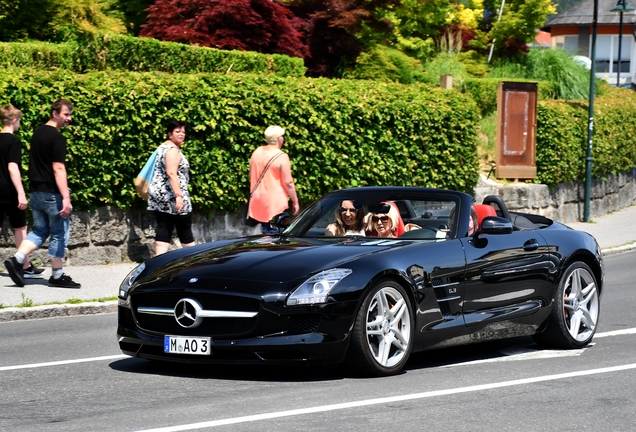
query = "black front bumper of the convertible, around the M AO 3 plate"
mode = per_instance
[{"x": 300, "y": 338}]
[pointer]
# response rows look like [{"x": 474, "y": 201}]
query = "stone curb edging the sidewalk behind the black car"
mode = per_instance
[{"x": 94, "y": 308}]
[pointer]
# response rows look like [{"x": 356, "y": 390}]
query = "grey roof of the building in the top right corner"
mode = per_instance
[{"x": 582, "y": 13}]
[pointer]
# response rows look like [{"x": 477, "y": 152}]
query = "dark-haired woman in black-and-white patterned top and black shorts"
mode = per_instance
[{"x": 168, "y": 195}]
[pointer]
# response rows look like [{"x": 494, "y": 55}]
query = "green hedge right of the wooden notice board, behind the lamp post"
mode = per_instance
[{"x": 562, "y": 137}]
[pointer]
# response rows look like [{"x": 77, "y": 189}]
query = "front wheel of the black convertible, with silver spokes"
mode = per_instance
[{"x": 383, "y": 332}]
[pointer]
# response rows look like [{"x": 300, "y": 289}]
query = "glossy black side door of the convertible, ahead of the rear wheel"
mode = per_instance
[{"x": 507, "y": 276}]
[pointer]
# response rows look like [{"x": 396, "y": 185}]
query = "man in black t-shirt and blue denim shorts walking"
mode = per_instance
[{"x": 50, "y": 198}]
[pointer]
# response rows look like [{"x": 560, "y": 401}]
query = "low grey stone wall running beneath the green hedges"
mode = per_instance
[{"x": 112, "y": 236}]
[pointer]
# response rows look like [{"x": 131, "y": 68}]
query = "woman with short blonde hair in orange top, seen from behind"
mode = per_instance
[{"x": 271, "y": 182}]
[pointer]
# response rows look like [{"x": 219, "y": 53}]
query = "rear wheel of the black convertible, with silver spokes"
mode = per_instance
[{"x": 575, "y": 313}]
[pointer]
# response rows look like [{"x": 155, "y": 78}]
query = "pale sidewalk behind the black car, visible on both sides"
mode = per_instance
[{"x": 615, "y": 232}]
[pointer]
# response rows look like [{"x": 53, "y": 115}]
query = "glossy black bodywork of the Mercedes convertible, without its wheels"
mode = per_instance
[{"x": 461, "y": 288}]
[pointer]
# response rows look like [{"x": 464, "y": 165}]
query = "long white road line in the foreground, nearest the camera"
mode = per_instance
[{"x": 387, "y": 400}]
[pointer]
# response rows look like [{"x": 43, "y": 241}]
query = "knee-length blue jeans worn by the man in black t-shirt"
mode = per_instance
[{"x": 46, "y": 207}]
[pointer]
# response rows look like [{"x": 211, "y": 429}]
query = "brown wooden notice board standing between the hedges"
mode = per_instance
[{"x": 516, "y": 130}]
